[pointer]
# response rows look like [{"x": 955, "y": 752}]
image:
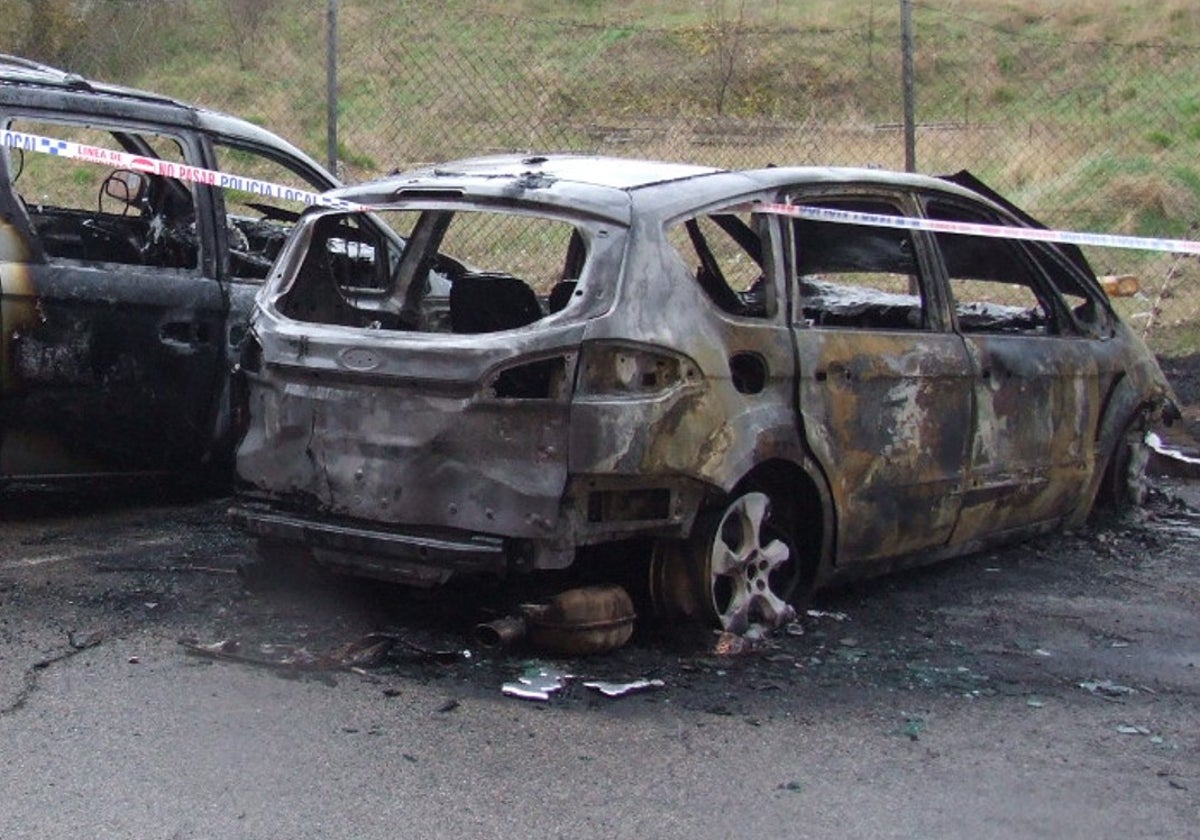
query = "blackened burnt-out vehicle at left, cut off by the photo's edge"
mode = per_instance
[{"x": 124, "y": 296}]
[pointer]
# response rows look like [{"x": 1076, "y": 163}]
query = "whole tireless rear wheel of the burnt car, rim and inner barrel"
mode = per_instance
[{"x": 739, "y": 571}]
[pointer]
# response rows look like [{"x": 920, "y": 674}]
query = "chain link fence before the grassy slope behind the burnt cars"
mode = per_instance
[{"x": 1091, "y": 136}]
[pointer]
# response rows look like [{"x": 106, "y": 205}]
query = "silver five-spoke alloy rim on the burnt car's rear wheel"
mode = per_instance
[{"x": 752, "y": 567}]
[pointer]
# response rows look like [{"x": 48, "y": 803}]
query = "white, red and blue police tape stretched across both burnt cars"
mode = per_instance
[{"x": 226, "y": 181}]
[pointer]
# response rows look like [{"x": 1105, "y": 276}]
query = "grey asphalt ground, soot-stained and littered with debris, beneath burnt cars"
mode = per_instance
[{"x": 1049, "y": 689}]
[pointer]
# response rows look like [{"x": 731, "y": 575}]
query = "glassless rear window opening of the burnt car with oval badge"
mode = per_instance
[{"x": 355, "y": 275}]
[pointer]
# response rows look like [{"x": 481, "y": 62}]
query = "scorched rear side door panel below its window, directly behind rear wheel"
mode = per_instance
[{"x": 890, "y": 415}]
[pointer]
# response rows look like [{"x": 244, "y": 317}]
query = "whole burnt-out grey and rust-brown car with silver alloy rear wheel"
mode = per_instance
[{"x": 578, "y": 358}]
